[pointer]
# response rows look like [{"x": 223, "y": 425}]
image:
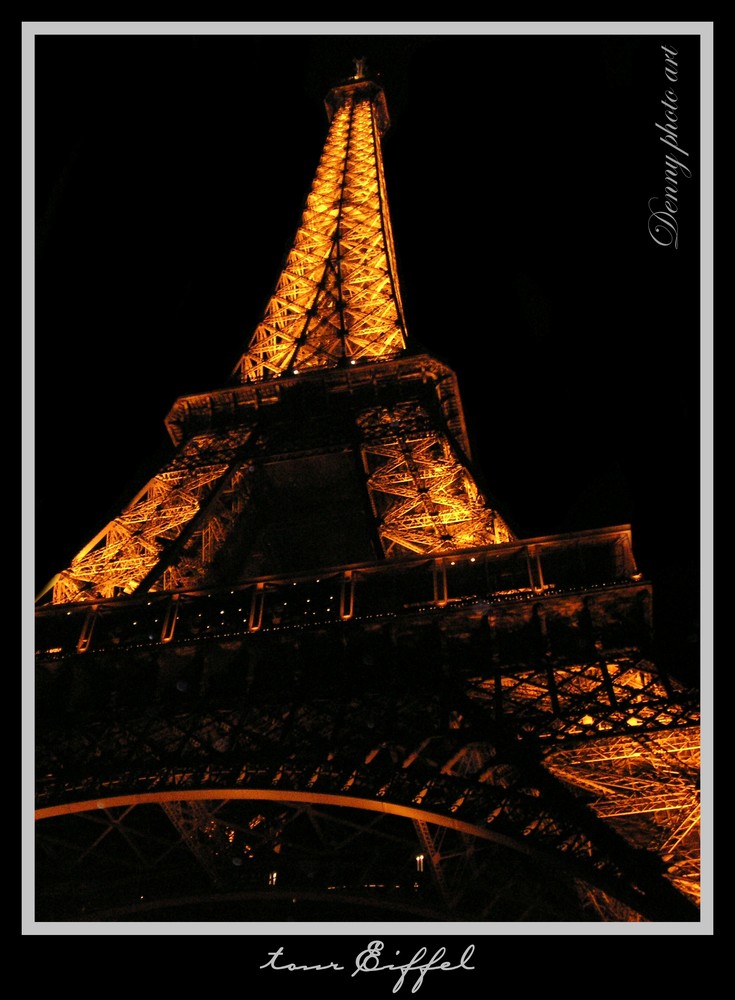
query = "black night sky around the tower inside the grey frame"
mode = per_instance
[{"x": 170, "y": 176}]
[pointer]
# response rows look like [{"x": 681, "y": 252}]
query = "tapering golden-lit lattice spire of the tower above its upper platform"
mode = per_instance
[{"x": 337, "y": 302}]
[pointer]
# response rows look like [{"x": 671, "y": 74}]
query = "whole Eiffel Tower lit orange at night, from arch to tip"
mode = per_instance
[{"x": 311, "y": 672}]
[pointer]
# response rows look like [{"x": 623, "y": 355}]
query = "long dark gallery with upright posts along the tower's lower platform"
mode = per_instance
[{"x": 498, "y": 574}]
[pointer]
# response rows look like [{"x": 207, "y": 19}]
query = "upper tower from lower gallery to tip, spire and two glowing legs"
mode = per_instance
[{"x": 336, "y": 315}]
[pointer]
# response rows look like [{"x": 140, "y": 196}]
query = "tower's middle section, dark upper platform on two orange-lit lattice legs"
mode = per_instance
[{"x": 415, "y": 492}]
